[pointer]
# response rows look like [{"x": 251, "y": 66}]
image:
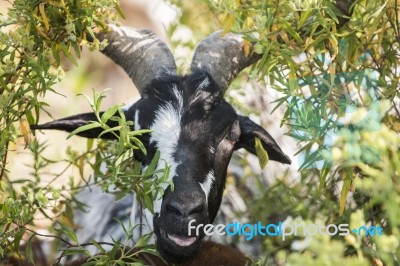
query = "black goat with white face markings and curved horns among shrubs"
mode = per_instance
[{"x": 193, "y": 127}]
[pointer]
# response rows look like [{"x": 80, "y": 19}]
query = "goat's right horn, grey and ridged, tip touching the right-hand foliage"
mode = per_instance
[{"x": 223, "y": 57}]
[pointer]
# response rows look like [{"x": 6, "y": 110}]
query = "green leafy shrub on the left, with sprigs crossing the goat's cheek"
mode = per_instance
[{"x": 36, "y": 36}]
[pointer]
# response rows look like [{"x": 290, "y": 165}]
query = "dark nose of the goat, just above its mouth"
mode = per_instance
[{"x": 186, "y": 209}]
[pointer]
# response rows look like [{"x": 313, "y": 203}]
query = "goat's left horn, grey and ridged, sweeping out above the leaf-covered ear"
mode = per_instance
[{"x": 140, "y": 53}]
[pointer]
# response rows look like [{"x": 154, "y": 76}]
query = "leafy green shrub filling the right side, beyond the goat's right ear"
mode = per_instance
[{"x": 338, "y": 77}]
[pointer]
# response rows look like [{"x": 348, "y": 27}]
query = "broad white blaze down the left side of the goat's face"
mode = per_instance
[{"x": 166, "y": 131}]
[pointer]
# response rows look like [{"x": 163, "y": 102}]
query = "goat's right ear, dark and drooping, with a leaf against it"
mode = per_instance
[{"x": 249, "y": 131}]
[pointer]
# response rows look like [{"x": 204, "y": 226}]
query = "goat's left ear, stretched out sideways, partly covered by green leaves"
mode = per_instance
[{"x": 71, "y": 123}]
